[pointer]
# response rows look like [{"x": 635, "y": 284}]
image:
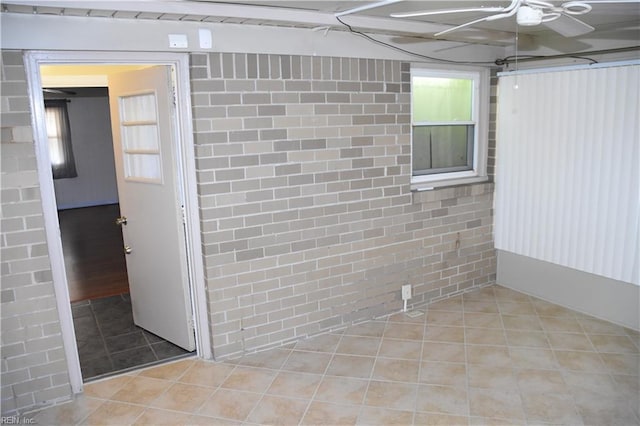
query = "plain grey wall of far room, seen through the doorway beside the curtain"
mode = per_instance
[{"x": 93, "y": 152}]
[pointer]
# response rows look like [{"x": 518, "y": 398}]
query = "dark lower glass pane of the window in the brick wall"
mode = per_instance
[{"x": 442, "y": 147}]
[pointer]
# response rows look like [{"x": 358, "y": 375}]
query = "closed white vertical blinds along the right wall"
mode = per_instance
[{"x": 567, "y": 169}]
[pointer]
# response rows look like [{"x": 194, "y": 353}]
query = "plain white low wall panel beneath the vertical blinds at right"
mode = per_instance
[{"x": 601, "y": 297}]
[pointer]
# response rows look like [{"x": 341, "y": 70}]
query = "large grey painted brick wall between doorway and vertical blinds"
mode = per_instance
[{"x": 307, "y": 216}]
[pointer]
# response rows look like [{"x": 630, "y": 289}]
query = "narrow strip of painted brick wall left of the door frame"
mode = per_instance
[{"x": 34, "y": 369}]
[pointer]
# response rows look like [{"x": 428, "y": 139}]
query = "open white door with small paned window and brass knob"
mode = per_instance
[{"x": 143, "y": 124}]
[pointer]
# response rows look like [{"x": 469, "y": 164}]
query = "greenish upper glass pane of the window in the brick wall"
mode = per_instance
[{"x": 438, "y": 99}]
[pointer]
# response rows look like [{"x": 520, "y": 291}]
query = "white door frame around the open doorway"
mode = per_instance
[{"x": 185, "y": 159}]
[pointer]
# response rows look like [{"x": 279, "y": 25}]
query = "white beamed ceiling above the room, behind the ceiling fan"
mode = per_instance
[{"x": 617, "y": 22}]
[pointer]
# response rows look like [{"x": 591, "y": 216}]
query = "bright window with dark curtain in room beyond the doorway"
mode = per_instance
[{"x": 59, "y": 135}]
